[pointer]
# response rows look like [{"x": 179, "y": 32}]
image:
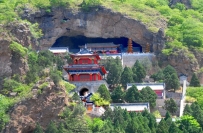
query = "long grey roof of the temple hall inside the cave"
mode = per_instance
[{"x": 98, "y": 45}]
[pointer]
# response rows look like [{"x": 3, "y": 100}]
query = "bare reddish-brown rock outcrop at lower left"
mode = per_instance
[{"x": 40, "y": 109}]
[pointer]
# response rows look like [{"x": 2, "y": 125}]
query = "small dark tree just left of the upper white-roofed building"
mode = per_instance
[{"x": 117, "y": 95}]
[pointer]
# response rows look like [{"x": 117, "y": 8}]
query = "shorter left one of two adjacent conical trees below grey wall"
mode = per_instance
[{"x": 126, "y": 76}]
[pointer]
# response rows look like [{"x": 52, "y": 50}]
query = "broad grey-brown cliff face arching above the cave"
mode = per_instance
[{"x": 100, "y": 22}]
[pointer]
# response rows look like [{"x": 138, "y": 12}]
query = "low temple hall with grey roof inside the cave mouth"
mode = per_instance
[{"x": 107, "y": 48}]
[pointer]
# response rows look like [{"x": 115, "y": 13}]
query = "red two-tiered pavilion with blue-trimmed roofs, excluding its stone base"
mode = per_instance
[{"x": 85, "y": 67}]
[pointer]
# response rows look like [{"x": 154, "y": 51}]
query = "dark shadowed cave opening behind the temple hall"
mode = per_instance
[{"x": 74, "y": 42}]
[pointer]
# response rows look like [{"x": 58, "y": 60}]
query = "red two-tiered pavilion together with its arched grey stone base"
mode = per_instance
[{"x": 85, "y": 72}]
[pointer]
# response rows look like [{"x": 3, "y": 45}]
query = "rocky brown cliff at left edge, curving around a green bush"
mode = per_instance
[{"x": 9, "y": 63}]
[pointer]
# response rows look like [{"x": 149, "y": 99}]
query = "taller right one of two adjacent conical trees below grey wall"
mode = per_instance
[{"x": 139, "y": 70}]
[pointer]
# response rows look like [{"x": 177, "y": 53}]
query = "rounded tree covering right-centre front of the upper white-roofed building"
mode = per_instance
[{"x": 148, "y": 95}]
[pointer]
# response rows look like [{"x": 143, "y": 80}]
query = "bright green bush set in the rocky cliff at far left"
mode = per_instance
[{"x": 18, "y": 48}]
